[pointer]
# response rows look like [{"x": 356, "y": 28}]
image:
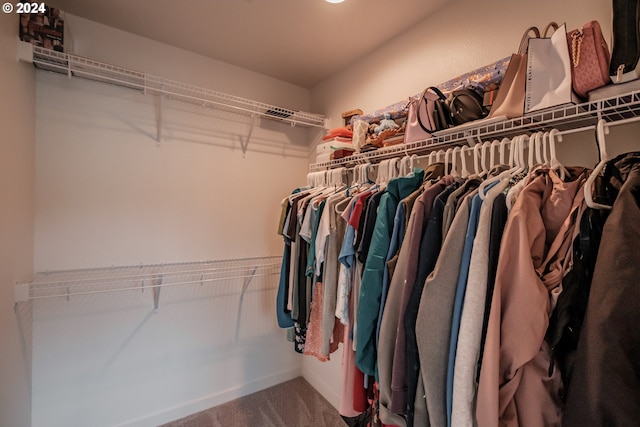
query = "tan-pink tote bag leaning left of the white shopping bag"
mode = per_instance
[{"x": 509, "y": 102}]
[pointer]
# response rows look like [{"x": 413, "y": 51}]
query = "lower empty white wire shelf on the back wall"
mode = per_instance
[{"x": 72, "y": 283}]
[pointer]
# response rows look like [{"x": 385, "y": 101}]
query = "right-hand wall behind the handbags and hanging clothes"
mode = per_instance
[{"x": 458, "y": 38}]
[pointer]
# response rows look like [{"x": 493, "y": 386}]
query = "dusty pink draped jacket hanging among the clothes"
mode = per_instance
[{"x": 516, "y": 382}]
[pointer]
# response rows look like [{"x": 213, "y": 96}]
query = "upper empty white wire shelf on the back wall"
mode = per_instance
[{"x": 77, "y": 66}]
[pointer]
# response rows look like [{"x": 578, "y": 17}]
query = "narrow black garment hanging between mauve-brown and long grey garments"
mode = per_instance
[{"x": 430, "y": 245}]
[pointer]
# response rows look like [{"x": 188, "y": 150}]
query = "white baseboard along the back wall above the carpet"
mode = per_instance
[{"x": 206, "y": 402}]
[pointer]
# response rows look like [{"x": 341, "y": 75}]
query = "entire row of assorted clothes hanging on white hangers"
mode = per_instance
[{"x": 465, "y": 312}]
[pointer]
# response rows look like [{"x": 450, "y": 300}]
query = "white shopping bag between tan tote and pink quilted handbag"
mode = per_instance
[{"x": 548, "y": 81}]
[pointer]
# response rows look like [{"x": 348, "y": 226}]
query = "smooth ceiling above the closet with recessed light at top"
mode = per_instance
[{"x": 303, "y": 42}]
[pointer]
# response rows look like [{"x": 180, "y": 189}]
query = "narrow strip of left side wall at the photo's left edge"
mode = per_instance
[{"x": 17, "y": 112}]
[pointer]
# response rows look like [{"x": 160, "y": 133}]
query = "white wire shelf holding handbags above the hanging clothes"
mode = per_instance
[{"x": 563, "y": 118}]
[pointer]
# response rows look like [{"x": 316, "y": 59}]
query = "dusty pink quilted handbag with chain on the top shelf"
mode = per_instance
[{"x": 589, "y": 58}]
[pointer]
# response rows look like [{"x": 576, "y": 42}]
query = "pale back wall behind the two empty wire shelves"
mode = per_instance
[{"x": 108, "y": 193}]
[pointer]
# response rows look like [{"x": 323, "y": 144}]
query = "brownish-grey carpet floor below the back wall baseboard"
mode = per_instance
[{"x": 293, "y": 403}]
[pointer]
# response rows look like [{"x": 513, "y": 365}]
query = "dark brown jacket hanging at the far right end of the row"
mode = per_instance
[{"x": 605, "y": 386}]
